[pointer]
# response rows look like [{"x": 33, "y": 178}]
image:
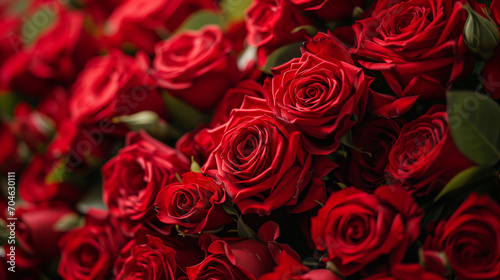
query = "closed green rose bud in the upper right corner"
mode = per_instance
[{"x": 480, "y": 34}]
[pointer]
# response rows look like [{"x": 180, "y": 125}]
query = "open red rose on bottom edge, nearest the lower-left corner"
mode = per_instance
[{"x": 89, "y": 252}]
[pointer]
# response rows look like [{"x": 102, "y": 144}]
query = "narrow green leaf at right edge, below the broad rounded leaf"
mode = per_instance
[{"x": 468, "y": 180}]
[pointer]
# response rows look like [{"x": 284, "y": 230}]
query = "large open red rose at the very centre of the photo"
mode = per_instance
[{"x": 262, "y": 163}]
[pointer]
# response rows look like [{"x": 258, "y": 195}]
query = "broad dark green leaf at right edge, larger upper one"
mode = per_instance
[{"x": 475, "y": 126}]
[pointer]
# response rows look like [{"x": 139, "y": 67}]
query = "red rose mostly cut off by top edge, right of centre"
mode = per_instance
[{"x": 329, "y": 10}]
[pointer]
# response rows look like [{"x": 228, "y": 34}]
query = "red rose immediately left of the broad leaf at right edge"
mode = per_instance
[{"x": 425, "y": 158}]
